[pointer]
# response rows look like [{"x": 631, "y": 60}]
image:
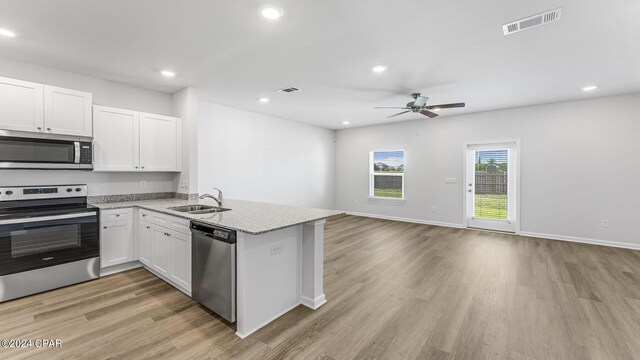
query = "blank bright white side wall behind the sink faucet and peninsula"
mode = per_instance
[{"x": 262, "y": 158}]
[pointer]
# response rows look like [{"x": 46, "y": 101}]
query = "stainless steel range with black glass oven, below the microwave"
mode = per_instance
[{"x": 49, "y": 238}]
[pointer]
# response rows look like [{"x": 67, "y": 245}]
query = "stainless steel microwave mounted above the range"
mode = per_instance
[{"x": 45, "y": 152}]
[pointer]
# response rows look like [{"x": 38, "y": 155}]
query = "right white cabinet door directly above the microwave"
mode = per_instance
[{"x": 67, "y": 111}]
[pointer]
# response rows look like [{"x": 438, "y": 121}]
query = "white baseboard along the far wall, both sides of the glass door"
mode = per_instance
[{"x": 522, "y": 233}]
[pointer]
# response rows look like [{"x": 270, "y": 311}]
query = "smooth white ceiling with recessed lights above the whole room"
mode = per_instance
[{"x": 449, "y": 50}]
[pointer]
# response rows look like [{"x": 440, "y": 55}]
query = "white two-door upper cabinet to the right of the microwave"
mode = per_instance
[{"x": 126, "y": 140}]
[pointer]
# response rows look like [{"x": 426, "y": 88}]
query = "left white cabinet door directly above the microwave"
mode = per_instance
[{"x": 21, "y": 105}]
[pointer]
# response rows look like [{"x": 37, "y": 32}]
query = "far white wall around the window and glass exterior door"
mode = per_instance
[{"x": 579, "y": 165}]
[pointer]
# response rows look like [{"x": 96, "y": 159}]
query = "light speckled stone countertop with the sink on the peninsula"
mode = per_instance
[{"x": 245, "y": 216}]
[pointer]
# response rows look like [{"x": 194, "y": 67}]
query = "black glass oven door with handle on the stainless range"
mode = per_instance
[{"x": 37, "y": 242}]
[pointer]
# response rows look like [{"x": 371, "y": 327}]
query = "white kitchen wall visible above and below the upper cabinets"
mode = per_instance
[{"x": 106, "y": 93}]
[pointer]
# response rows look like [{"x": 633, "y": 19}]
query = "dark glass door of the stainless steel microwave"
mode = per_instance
[{"x": 36, "y": 153}]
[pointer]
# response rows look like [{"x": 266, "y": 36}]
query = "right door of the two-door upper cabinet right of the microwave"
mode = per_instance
[{"x": 159, "y": 143}]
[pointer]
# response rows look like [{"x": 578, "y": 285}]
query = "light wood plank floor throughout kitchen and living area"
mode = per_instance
[{"x": 395, "y": 291}]
